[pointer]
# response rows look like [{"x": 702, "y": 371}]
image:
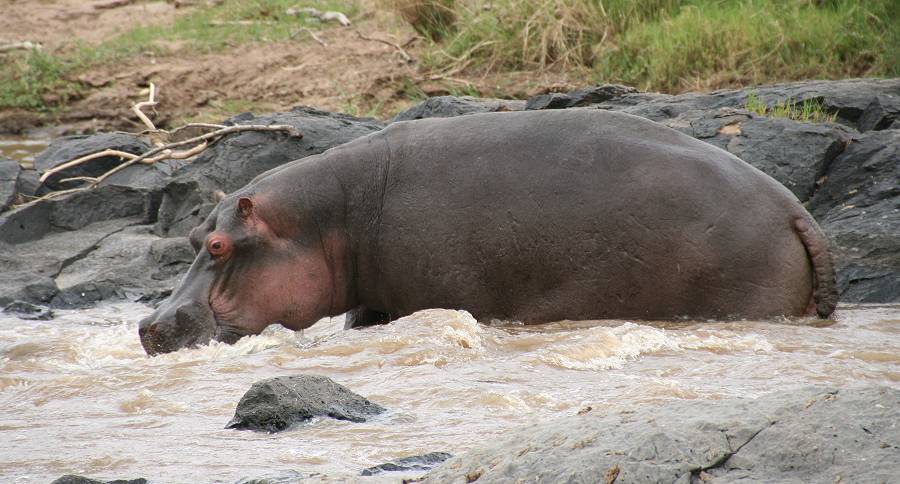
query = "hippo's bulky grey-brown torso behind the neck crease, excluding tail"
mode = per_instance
[{"x": 577, "y": 214}]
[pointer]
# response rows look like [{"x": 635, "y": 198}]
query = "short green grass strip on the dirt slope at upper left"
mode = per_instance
[{"x": 44, "y": 81}]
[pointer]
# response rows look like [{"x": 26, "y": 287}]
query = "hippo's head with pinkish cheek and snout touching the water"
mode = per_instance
[{"x": 257, "y": 264}]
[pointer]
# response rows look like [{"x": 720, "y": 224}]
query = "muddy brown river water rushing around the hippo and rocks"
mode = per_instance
[{"x": 78, "y": 395}]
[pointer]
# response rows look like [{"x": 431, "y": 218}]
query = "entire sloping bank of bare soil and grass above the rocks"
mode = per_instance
[{"x": 219, "y": 59}]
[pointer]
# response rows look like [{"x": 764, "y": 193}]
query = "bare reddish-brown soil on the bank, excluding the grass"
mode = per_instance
[{"x": 347, "y": 74}]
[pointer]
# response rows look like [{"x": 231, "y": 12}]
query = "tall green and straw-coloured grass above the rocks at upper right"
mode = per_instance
[{"x": 677, "y": 45}]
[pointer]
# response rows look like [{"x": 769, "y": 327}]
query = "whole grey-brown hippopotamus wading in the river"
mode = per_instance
[{"x": 532, "y": 217}]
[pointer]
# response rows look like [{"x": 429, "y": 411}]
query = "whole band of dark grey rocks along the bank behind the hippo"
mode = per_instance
[{"x": 126, "y": 238}]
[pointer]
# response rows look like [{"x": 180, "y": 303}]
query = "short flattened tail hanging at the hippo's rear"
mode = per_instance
[{"x": 825, "y": 292}]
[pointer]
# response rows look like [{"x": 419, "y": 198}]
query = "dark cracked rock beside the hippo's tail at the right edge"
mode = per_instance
[{"x": 859, "y": 208}]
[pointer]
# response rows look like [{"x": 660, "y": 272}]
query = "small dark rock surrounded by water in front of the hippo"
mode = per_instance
[{"x": 274, "y": 404}]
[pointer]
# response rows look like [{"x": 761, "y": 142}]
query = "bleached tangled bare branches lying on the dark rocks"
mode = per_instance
[{"x": 163, "y": 147}]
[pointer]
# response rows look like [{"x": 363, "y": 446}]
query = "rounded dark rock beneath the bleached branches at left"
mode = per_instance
[{"x": 68, "y": 148}]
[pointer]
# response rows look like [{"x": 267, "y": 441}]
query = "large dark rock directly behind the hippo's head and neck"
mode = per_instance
[{"x": 235, "y": 160}]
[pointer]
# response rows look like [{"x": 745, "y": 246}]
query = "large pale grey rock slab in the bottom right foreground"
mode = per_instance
[{"x": 800, "y": 435}]
